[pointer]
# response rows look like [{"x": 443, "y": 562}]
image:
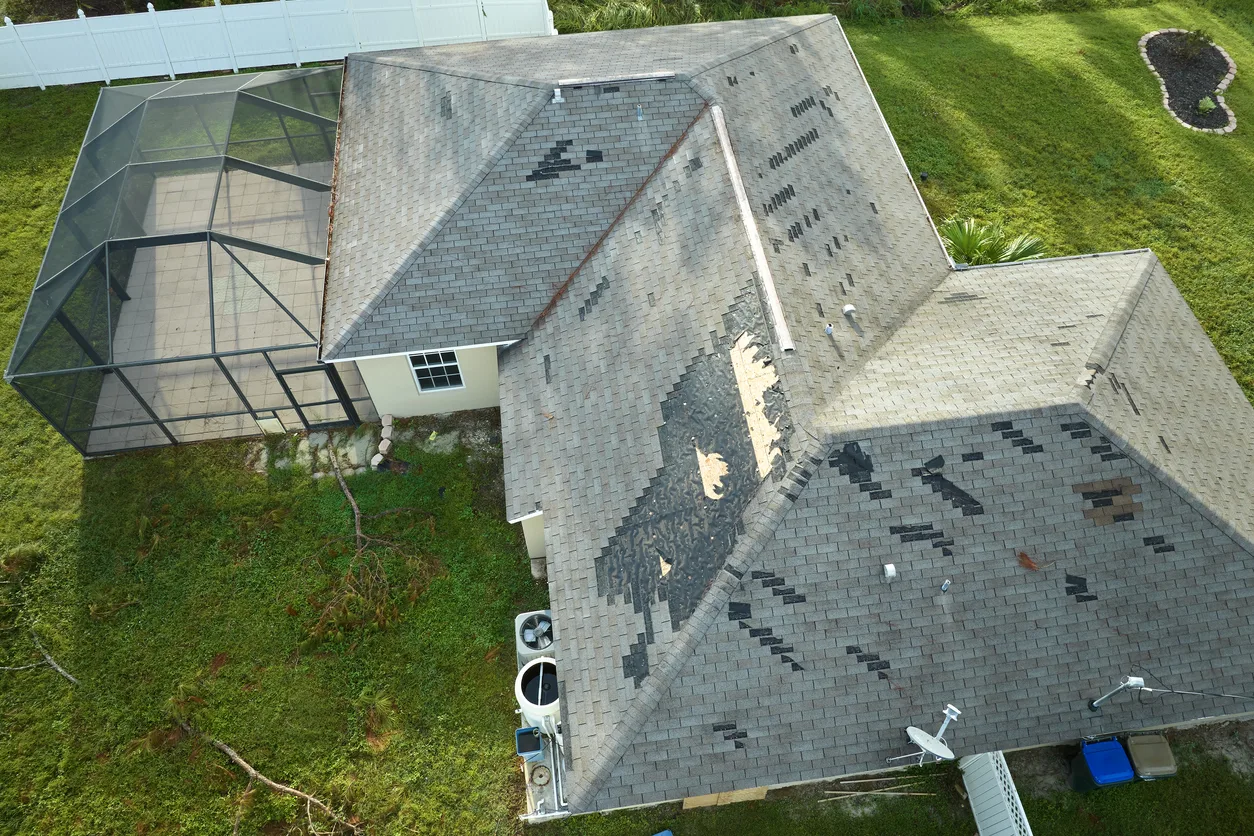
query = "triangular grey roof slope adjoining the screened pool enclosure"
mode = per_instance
[{"x": 404, "y": 169}]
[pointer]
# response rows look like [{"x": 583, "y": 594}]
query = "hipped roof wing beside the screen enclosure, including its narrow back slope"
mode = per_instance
[{"x": 441, "y": 145}]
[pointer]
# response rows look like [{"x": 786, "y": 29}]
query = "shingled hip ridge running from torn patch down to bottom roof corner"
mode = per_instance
[{"x": 768, "y": 511}]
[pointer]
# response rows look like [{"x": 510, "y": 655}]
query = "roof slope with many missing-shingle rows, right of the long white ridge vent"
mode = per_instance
[{"x": 835, "y": 205}]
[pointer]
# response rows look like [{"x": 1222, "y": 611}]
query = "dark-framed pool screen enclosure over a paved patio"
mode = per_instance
[{"x": 181, "y": 294}]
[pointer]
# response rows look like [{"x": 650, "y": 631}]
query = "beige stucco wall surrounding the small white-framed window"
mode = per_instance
[{"x": 396, "y": 393}]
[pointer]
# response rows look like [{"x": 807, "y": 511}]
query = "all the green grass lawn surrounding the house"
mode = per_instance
[{"x": 1050, "y": 123}]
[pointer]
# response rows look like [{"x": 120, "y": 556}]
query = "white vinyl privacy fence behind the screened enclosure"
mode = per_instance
[{"x": 255, "y": 34}]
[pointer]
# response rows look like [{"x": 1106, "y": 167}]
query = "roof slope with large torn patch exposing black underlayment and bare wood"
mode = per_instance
[{"x": 628, "y": 421}]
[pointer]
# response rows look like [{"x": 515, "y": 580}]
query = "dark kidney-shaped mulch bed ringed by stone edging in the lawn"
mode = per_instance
[{"x": 1188, "y": 82}]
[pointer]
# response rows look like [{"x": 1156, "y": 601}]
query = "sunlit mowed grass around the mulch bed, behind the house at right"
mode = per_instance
[{"x": 1054, "y": 126}]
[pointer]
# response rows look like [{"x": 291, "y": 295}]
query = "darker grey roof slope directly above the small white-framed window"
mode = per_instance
[{"x": 517, "y": 238}]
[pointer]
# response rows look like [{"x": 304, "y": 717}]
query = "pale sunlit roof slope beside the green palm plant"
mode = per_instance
[{"x": 993, "y": 340}]
